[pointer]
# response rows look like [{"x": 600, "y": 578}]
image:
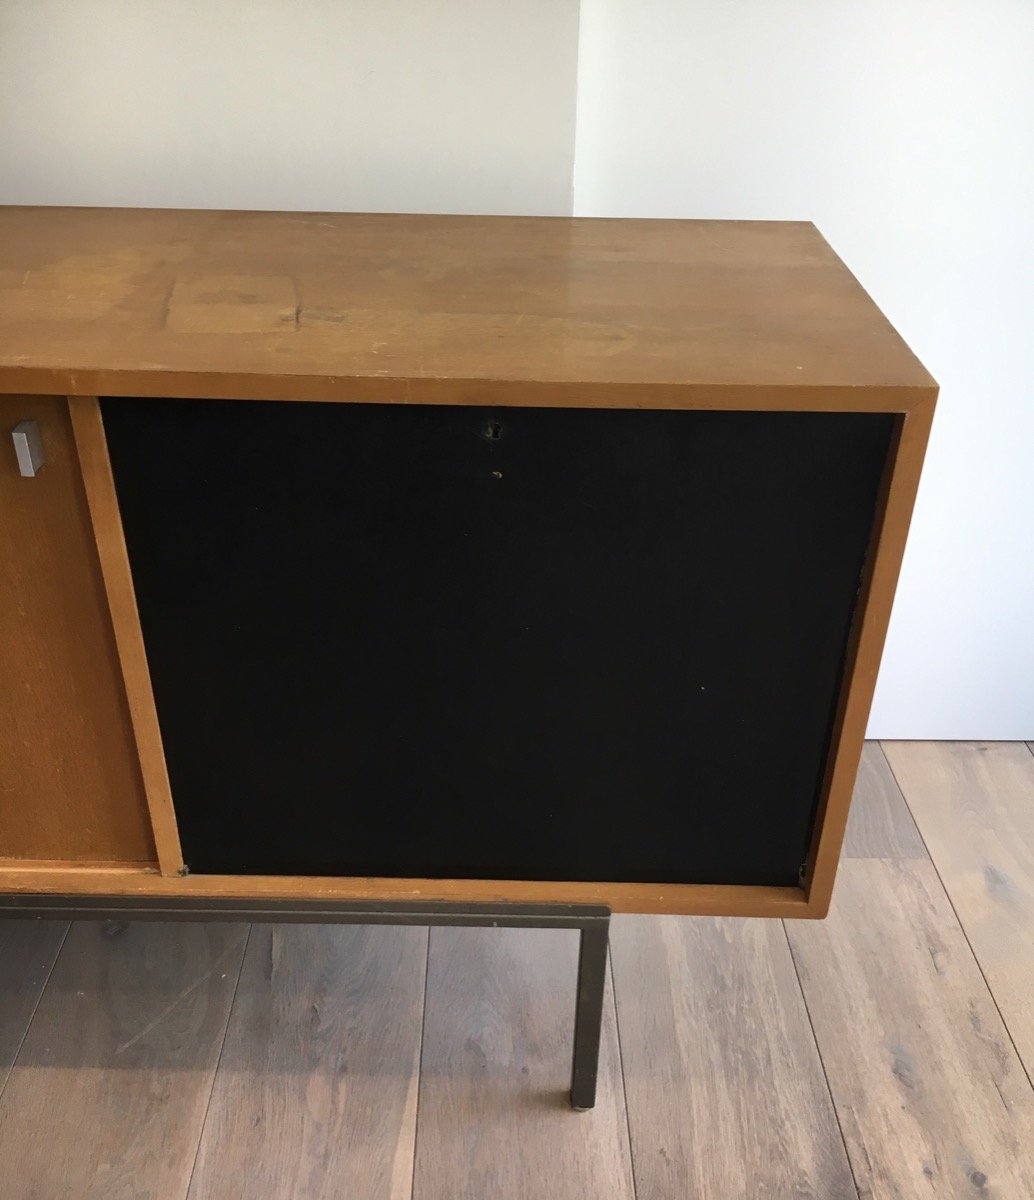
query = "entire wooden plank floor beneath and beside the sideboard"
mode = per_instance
[{"x": 885, "y": 1053}]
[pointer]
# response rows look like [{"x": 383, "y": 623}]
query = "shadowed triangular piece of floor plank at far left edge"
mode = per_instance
[{"x": 28, "y": 950}]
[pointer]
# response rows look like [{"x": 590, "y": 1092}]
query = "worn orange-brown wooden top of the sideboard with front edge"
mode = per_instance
[{"x": 442, "y": 309}]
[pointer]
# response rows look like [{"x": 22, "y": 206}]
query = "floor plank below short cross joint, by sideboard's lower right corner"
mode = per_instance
[{"x": 931, "y": 1096}]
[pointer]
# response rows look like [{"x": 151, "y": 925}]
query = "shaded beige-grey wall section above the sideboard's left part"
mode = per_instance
[{"x": 364, "y": 105}]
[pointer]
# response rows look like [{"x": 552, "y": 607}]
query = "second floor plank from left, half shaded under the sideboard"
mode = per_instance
[{"x": 109, "y": 1094}]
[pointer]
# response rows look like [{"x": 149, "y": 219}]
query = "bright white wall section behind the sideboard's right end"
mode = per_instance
[{"x": 905, "y": 129}]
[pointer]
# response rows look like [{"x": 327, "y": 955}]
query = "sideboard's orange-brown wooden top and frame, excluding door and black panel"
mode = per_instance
[{"x": 456, "y": 310}]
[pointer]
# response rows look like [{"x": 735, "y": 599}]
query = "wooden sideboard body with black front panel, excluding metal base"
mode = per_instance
[{"x": 432, "y": 559}]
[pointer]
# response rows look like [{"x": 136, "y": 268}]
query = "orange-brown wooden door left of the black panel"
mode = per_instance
[{"x": 70, "y": 783}]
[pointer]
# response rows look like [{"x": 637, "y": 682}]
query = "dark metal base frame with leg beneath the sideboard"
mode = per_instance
[{"x": 593, "y": 922}]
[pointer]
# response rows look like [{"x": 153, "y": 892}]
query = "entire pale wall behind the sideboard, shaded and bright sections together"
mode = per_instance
[{"x": 904, "y": 128}]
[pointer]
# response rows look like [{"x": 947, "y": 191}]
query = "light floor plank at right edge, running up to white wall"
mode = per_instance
[{"x": 975, "y": 803}]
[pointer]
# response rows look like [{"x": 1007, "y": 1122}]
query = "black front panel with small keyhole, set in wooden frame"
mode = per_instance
[{"x": 507, "y": 644}]
